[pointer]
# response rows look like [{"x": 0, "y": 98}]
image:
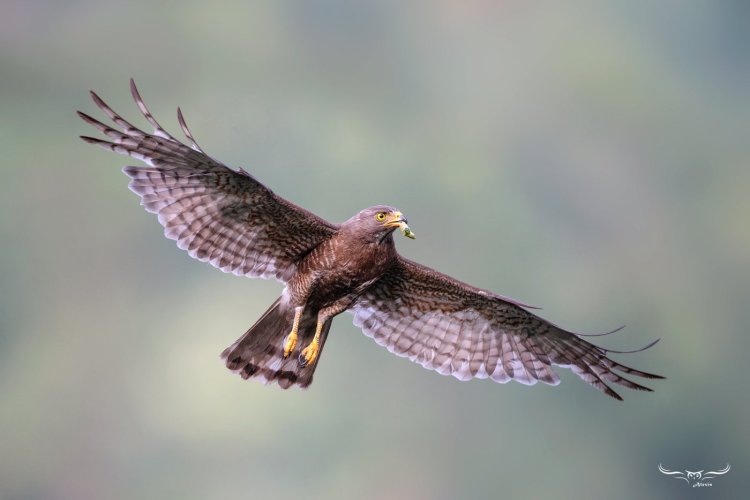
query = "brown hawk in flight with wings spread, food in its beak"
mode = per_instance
[{"x": 228, "y": 218}]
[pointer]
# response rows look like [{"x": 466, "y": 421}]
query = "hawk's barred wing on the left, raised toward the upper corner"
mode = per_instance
[{"x": 217, "y": 214}]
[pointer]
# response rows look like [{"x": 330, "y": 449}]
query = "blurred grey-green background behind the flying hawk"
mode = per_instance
[{"x": 592, "y": 158}]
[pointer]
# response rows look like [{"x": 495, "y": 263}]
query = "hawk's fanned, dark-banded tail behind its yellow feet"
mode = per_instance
[{"x": 259, "y": 352}]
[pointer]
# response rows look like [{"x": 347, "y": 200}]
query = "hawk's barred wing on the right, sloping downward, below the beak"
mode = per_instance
[{"x": 456, "y": 329}]
